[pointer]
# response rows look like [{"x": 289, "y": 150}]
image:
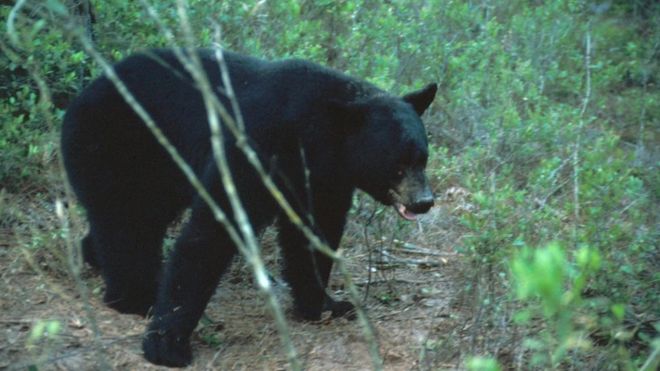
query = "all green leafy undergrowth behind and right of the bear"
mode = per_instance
[{"x": 555, "y": 151}]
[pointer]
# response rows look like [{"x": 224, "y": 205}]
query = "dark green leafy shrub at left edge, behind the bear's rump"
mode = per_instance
[{"x": 38, "y": 77}]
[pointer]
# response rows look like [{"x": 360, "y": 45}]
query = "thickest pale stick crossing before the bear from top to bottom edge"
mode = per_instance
[{"x": 253, "y": 257}]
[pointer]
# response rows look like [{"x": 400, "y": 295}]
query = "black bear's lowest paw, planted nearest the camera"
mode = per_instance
[{"x": 167, "y": 350}]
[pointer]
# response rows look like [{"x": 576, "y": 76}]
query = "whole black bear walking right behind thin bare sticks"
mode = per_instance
[{"x": 320, "y": 133}]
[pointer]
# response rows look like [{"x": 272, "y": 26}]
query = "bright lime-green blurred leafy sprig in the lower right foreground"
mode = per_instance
[{"x": 553, "y": 285}]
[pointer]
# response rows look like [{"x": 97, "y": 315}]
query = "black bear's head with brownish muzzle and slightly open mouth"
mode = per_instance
[{"x": 386, "y": 149}]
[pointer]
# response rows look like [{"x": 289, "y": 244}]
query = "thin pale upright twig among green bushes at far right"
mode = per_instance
[{"x": 578, "y": 138}]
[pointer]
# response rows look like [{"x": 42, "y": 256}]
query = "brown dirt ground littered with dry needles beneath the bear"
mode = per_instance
[{"x": 409, "y": 292}]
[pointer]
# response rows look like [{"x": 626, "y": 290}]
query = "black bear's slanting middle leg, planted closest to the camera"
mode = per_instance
[{"x": 199, "y": 258}]
